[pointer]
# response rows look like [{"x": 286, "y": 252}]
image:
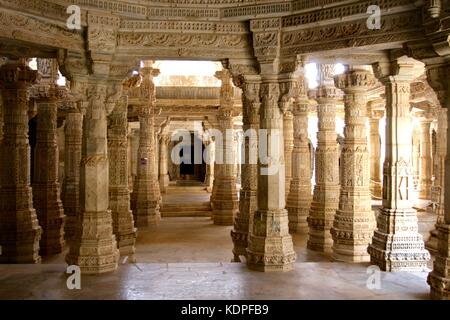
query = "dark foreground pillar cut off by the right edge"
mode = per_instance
[{"x": 439, "y": 279}]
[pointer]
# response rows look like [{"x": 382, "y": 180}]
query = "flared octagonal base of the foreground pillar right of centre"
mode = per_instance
[{"x": 270, "y": 246}]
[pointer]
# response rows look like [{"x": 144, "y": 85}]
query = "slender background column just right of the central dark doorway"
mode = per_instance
[{"x": 225, "y": 200}]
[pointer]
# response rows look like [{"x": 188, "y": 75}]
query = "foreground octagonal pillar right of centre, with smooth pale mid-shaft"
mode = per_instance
[{"x": 270, "y": 246}]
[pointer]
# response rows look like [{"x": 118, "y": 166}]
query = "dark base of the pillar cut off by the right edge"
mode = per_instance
[{"x": 439, "y": 278}]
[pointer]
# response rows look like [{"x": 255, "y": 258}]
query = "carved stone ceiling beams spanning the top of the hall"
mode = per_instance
[{"x": 215, "y": 29}]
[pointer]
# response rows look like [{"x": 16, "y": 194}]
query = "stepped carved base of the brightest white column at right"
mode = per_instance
[{"x": 402, "y": 251}]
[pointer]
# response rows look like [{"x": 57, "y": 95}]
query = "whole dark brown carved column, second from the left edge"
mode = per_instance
[{"x": 46, "y": 188}]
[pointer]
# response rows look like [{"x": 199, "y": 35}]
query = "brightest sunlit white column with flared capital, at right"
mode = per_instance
[{"x": 397, "y": 245}]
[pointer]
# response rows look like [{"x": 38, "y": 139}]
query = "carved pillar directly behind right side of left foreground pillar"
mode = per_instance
[{"x": 119, "y": 192}]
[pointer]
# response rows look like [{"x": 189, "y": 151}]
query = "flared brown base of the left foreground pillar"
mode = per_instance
[{"x": 94, "y": 247}]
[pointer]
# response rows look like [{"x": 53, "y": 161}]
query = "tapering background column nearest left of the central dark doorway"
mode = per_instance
[{"x": 146, "y": 188}]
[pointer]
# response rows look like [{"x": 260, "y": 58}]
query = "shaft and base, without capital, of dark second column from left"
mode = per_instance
[{"x": 46, "y": 190}]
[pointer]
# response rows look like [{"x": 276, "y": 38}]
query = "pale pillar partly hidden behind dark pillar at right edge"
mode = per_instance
[{"x": 439, "y": 178}]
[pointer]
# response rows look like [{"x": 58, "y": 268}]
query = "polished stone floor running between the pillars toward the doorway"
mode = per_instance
[{"x": 189, "y": 258}]
